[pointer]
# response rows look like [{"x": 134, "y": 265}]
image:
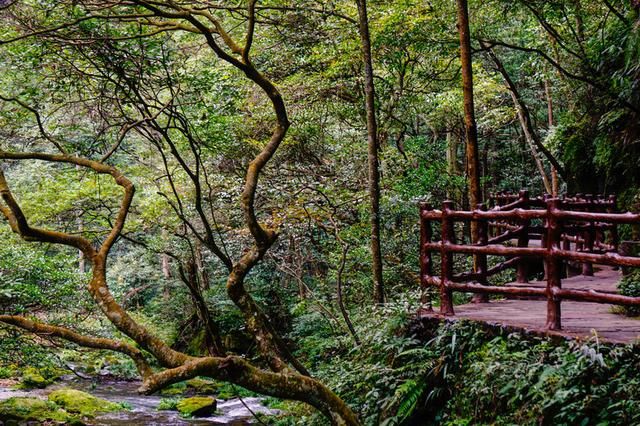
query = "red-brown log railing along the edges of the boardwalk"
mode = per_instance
[{"x": 579, "y": 230}]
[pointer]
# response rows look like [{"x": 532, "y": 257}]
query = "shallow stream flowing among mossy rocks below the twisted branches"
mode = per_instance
[{"x": 143, "y": 407}]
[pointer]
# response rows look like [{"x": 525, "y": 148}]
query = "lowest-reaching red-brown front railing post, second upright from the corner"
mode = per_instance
[{"x": 553, "y": 265}]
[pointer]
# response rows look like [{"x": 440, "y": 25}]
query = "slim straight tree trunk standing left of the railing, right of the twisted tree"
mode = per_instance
[{"x": 372, "y": 138}]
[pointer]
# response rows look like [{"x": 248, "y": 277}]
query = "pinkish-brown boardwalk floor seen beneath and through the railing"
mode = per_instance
[{"x": 580, "y": 320}]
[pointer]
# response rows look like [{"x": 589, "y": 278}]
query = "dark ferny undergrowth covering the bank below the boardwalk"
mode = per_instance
[{"x": 463, "y": 373}]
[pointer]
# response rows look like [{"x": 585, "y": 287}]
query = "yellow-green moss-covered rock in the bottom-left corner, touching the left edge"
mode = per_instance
[{"x": 34, "y": 409}]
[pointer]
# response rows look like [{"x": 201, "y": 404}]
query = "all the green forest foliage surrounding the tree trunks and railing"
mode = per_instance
[{"x": 314, "y": 190}]
